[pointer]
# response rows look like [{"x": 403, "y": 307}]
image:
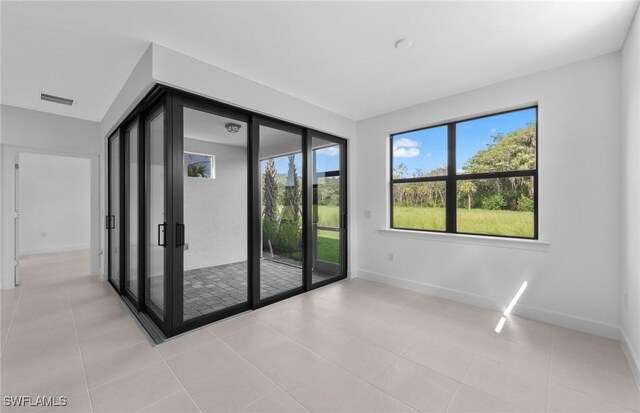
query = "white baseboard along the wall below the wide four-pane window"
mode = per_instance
[{"x": 546, "y": 316}]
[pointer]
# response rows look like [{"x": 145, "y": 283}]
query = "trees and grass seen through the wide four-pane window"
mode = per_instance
[{"x": 500, "y": 206}]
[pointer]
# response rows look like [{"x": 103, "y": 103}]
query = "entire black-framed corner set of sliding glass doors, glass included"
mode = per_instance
[{"x": 214, "y": 210}]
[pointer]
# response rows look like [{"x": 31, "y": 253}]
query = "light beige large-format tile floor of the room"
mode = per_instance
[{"x": 353, "y": 346}]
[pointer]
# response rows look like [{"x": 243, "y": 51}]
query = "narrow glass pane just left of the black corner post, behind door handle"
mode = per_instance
[{"x": 156, "y": 221}]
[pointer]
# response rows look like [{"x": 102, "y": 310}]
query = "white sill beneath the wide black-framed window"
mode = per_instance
[{"x": 486, "y": 241}]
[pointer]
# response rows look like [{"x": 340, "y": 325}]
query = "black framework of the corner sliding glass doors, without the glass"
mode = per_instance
[{"x": 172, "y": 101}]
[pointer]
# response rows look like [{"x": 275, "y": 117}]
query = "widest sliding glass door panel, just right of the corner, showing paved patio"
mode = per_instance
[{"x": 211, "y": 213}]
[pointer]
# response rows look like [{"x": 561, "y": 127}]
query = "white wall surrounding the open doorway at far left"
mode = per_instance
[{"x": 28, "y": 131}]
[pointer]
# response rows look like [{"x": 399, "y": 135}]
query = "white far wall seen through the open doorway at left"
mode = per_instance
[{"x": 54, "y": 195}]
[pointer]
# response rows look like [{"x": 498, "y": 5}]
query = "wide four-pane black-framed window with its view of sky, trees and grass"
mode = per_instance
[{"x": 477, "y": 176}]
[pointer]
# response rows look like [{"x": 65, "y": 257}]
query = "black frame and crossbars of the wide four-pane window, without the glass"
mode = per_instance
[{"x": 452, "y": 177}]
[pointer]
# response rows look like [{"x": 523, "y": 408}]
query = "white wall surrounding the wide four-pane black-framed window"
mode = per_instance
[{"x": 573, "y": 281}]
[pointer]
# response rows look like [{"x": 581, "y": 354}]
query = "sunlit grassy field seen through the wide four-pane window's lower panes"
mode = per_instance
[{"x": 477, "y": 221}]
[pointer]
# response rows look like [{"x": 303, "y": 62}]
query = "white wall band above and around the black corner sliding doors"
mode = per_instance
[{"x": 177, "y": 70}]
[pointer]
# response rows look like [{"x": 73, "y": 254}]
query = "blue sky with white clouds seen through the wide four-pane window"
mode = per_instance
[{"x": 426, "y": 149}]
